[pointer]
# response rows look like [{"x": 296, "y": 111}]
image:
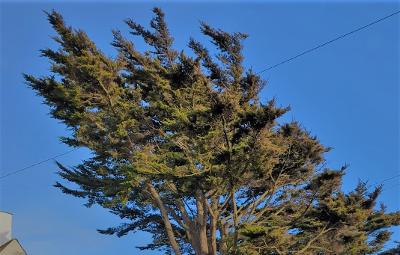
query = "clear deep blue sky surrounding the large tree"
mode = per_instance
[{"x": 347, "y": 94}]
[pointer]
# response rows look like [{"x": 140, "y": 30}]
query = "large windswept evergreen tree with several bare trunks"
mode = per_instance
[{"x": 184, "y": 149}]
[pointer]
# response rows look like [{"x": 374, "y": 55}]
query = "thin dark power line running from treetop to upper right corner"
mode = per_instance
[{"x": 329, "y": 42}]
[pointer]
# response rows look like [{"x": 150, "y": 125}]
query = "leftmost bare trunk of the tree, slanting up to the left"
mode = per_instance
[{"x": 164, "y": 214}]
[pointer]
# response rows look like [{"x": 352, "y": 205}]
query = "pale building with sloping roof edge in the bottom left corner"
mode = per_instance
[{"x": 8, "y": 246}]
